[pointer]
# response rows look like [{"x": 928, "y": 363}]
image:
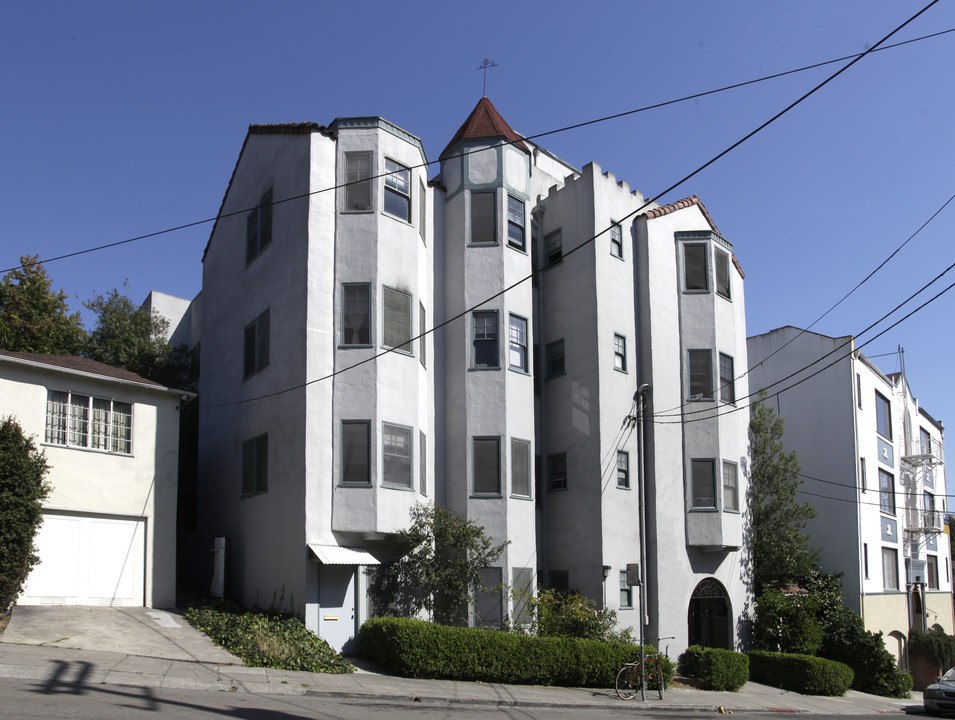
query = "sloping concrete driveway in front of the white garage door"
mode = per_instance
[{"x": 137, "y": 631}]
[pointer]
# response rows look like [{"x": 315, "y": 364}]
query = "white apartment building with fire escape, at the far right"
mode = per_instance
[{"x": 872, "y": 462}]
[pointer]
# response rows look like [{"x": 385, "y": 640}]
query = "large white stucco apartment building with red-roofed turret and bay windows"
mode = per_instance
[{"x": 520, "y": 413}]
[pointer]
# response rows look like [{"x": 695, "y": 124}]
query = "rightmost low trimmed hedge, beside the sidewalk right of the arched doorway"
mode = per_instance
[{"x": 804, "y": 674}]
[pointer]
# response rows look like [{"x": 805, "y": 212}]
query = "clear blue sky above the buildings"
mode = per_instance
[{"x": 122, "y": 119}]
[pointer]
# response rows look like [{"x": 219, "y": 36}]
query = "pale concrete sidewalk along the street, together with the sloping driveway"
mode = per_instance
[{"x": 70, "y": 647}]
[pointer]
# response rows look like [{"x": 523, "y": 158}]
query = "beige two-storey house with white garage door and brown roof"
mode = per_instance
[{"x": 111, "y": 439}]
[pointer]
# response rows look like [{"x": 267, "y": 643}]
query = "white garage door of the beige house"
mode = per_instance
[{"x": 87, "y": 560}]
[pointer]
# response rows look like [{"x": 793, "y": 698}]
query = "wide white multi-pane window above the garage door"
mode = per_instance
[{"x": 83, "y": 421}]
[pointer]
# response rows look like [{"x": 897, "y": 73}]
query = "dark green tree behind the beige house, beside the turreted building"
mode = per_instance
[{"x": 127, "y": 336}]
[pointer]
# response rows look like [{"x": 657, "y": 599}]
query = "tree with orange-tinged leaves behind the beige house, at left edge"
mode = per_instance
[{"x": 35, "y": 318}]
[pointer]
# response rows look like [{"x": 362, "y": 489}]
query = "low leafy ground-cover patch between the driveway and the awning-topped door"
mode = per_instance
[{"x": 266, "y": 638}]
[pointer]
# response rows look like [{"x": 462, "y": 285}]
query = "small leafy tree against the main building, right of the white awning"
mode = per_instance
[{"x": 440, "y": 571}]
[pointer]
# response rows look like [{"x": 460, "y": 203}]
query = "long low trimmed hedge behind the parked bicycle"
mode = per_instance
[{"x": 413, "y": 648}]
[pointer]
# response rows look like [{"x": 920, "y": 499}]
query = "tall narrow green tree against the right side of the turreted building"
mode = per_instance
[{"x": 780, "y": 546}]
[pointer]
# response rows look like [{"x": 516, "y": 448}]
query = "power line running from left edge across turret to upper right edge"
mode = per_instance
[{"x": 606, "y": 118}]
